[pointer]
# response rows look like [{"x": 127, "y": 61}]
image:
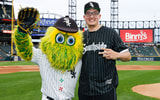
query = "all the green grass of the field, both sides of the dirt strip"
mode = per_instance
[{"x": 27, "y": 85}]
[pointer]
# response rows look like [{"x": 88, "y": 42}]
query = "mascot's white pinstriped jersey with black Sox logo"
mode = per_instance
[{"x": 57, "y": 85}]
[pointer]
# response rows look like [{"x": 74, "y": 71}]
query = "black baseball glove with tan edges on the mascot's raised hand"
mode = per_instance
[{"x": 27, "y": 19}]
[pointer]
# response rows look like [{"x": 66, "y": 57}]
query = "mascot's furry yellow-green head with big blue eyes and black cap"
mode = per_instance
[{"x": 62, "y": 44}]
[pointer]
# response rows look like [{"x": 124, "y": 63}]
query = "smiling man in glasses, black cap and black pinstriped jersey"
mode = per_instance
[{"x": 102, "y": 46}]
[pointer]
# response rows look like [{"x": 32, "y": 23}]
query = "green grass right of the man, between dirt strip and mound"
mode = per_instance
[{"x": 129, "y": 79}]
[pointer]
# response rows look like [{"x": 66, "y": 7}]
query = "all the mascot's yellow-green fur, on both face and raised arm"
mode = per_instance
[{"x": 62, "y": 56}]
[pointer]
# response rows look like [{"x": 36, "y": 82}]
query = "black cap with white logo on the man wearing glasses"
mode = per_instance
[{"x": 91, "y": 4}]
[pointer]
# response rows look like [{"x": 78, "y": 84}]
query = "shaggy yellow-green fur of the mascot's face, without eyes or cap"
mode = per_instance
[{"x": 62, "y": 55}]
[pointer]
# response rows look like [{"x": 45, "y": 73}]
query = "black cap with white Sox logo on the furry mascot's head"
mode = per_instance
[{"x": 66, "y": 24}]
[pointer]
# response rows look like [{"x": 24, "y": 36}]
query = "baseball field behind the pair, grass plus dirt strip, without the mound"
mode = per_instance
[{"x": 21, "y": 80}]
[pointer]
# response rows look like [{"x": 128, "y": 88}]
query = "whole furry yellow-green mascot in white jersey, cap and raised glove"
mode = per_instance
[{"x": 59, "y": 54}]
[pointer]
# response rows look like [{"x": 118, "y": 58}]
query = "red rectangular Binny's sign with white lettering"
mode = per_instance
[{"x": 137, "y": 35}]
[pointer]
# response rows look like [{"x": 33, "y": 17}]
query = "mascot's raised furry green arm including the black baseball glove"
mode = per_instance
[{"x": 27, "y": 20}]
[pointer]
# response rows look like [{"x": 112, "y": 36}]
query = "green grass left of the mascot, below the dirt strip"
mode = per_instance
[{"x": 20, "y": 86}]
